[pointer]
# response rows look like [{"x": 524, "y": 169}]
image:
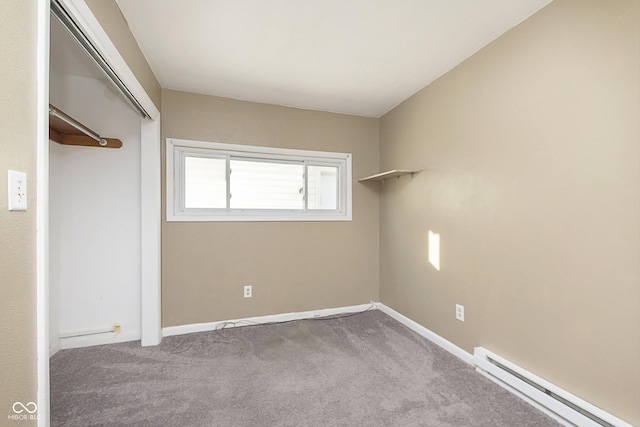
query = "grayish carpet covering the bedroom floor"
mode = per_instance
[{"x": 363, "y": 370}]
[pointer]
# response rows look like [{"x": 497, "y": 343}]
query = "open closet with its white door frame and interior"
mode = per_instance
[{"x": 84, "y": 190}]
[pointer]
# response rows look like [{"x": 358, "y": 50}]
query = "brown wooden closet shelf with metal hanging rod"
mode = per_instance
[{"x": 66, "y": 130}]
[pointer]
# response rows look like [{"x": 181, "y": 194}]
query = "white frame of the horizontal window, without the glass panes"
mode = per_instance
[{"x": 176, "y": 149}]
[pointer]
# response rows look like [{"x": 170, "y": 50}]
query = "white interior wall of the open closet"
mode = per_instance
[{"x": 94, "y": 210}]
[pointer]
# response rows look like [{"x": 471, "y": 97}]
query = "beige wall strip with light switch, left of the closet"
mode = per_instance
[{"x": 18, "y": 103}]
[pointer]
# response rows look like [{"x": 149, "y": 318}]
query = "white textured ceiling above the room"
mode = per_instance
[{"x": 358, "y": 57}]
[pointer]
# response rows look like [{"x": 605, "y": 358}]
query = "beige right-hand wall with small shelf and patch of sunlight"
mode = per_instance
[{"x": 531, "y": 152}]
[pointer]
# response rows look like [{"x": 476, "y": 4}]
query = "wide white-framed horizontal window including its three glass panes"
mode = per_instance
[{"x": 208, "y": 181}]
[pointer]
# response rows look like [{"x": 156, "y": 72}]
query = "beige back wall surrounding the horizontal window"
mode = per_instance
[{"x": 293, "y": 266}]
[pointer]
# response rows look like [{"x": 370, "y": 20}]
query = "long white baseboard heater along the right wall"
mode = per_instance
[{"x": 561, "y": 405}]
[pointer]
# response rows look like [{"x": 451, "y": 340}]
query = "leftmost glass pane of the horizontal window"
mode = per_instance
[{"x": 205, "y": 183}]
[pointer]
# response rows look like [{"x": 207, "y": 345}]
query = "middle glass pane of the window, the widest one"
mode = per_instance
[{"x": 259, "y": 184}]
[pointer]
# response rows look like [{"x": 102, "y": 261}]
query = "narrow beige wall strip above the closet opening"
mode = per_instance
[{"x": 112, "y": 21}]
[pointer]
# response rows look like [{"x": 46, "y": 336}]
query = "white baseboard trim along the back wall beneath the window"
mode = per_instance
[{"x": 285, "y": 317}]
